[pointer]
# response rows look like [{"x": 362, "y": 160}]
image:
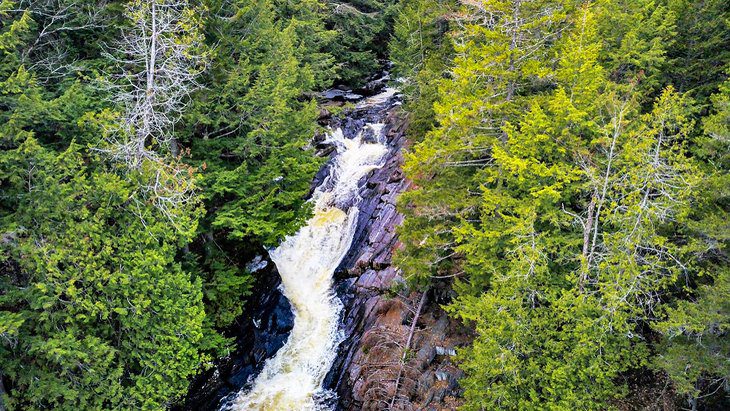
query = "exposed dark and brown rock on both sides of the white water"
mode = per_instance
[{"x": 371, "y": 371}]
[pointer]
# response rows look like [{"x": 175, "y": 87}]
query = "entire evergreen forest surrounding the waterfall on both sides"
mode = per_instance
[{"x": 568, "y": 165}]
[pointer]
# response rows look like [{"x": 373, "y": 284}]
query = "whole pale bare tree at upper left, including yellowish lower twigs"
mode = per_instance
[{"x": 158, "y": 60}]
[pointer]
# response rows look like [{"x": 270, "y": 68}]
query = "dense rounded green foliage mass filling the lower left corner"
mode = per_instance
[{"x": 104, "y": 317}]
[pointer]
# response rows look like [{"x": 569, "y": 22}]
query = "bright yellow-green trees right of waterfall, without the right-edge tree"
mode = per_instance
[{"x": 575, "y": 223}]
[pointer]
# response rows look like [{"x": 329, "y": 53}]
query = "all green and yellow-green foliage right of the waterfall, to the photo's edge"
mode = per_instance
[{"x": 564, "y": 188}]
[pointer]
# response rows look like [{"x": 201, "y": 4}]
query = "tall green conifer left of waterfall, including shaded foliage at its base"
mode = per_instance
[{"x": 250, "y": 131}]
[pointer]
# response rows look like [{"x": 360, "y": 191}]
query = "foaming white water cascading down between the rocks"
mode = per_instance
[{"x": 292, "y": 379}]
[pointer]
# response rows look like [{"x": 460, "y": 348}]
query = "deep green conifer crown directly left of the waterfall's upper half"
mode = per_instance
[{"x": 252, "y": 132}]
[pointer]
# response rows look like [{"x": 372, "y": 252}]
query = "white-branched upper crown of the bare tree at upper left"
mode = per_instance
[{"x": 159, "y": 59}]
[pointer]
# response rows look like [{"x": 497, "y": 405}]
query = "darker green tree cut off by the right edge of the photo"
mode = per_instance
[{"x": 694, "y": 351}]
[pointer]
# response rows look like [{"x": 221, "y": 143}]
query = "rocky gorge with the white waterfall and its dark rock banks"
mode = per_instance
[{"x": 330, "y": 333}]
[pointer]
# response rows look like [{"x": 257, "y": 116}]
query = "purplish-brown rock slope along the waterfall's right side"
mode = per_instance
[{"x": 376, "y": 321}]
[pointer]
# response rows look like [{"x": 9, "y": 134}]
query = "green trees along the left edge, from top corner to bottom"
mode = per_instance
[{"x": 95, "y": 311}]
